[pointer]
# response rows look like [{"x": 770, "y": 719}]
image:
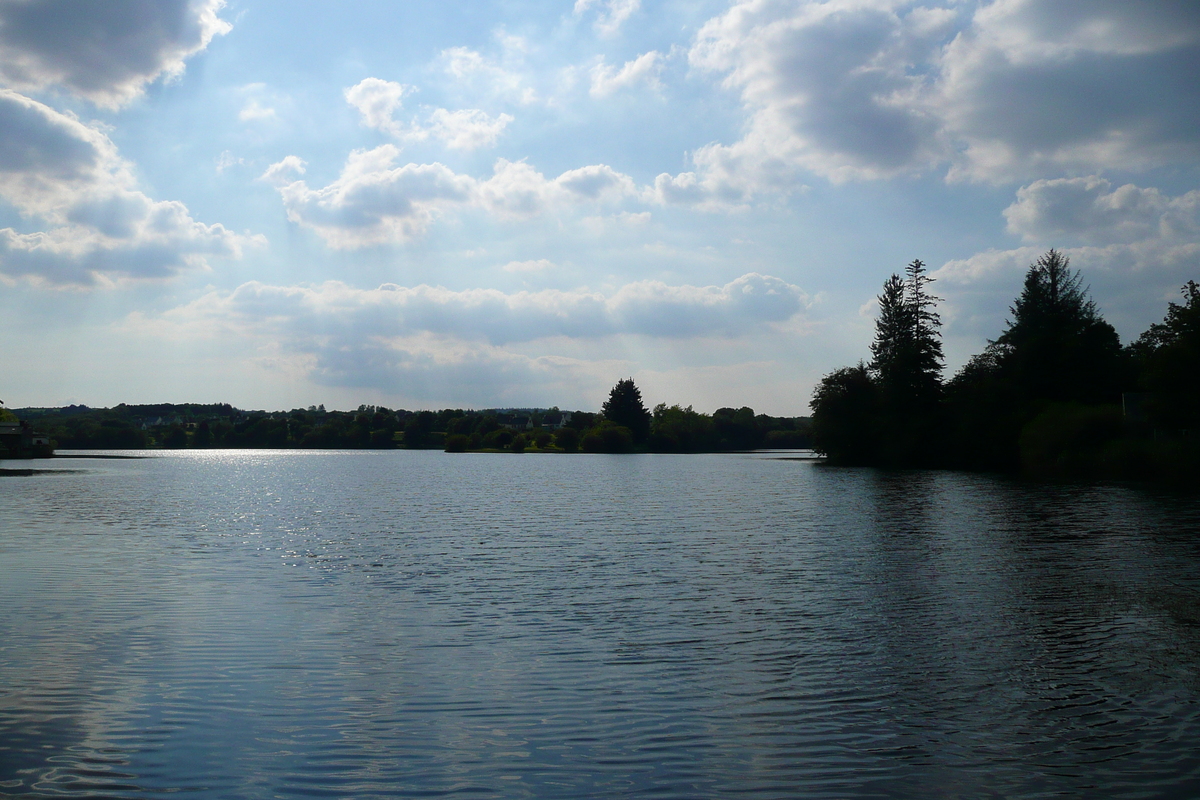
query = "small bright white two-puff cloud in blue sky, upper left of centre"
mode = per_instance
[{"x": 380, "y": 101}]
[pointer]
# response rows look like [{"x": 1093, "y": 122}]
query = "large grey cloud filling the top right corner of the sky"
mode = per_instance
[{"x": 1052, "y": 86}]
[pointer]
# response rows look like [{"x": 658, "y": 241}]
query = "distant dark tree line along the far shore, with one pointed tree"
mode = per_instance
[{"x": 625, "y": 425}]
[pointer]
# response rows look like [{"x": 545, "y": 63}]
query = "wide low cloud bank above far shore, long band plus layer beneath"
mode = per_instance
[{"x": 434, "y": 342}]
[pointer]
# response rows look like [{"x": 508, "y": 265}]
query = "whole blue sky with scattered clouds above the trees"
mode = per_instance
[{"x": 518, "y": 203}]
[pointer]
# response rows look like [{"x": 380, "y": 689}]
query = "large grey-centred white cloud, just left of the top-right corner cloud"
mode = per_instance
[{"x": 835, "y": 88}]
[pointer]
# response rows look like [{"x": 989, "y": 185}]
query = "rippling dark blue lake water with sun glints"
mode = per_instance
[{"x": 416, "y": 624}]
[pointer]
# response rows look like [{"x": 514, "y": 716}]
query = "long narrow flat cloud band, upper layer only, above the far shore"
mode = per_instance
[{"x": 646, "y": 308}]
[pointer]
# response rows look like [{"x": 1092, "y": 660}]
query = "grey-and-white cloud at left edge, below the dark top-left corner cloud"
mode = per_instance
[{"x": 100, "y": 227}]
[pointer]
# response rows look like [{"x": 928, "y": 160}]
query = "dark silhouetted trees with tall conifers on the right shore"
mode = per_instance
[{"x": 1055, "y": 394}]
